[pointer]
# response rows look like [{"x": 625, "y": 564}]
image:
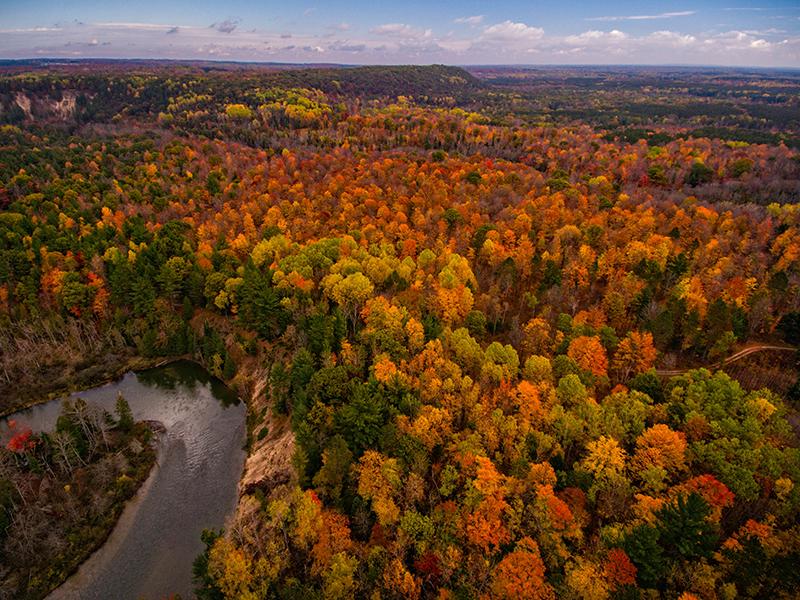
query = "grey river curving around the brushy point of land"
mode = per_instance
[{"x": 150, "y": 552}]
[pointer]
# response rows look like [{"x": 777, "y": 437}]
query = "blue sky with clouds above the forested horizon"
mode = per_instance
[{"x": 459, "y": 32}]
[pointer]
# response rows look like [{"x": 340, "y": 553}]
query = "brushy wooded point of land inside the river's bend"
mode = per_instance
[{"x": 66, "y": 506}]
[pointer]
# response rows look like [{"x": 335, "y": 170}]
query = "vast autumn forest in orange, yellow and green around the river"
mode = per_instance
[{"x": 501, "y": 332}]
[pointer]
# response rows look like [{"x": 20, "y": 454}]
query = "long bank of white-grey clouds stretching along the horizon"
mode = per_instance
[{"x": 474, "y": 40}]
